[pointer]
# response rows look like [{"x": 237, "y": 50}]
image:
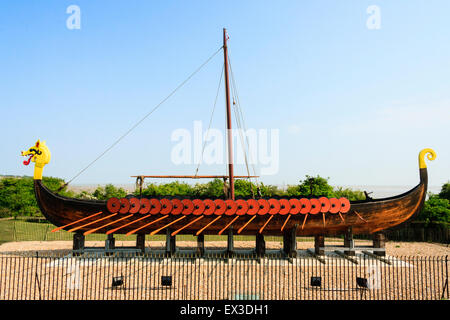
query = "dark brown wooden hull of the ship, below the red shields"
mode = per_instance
[{"x": 364, "y": 217}]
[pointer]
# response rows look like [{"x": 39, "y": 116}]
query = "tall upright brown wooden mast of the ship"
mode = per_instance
[{"x": 229, "y": 133}]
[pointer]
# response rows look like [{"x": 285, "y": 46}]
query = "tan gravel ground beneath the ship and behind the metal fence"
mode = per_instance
[{"x": 414, "y": 271}]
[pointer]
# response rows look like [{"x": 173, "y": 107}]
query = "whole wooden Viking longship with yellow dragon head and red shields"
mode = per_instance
[{"x": 247, "y": 216}]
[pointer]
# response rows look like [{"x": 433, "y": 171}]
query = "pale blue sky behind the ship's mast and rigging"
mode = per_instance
[{"x": 353, "y": 104}]
